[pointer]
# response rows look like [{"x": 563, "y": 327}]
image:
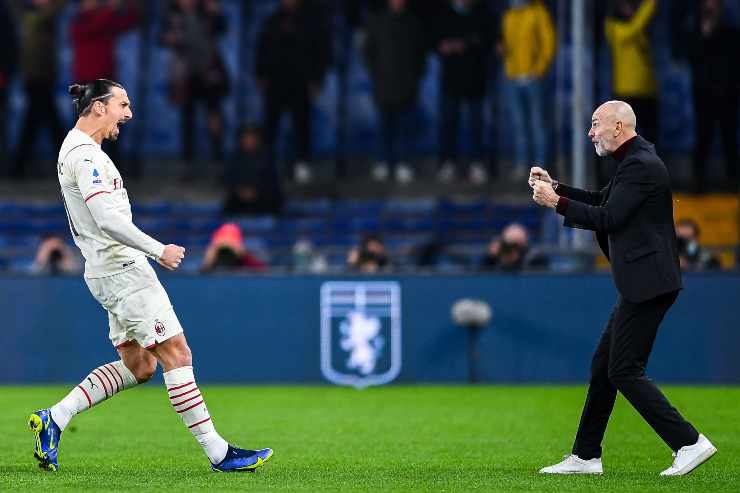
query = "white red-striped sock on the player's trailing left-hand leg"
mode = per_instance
[{"x": 102, "y": 383}]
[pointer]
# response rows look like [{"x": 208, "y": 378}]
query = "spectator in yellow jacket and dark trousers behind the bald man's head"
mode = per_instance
[{"x": 633, "y": 70}]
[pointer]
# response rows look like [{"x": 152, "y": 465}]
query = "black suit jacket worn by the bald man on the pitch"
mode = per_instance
[{"x": 633, "y": 220}]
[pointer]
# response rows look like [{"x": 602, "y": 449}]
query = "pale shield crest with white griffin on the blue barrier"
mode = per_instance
[{"x": 360, "y": 332}]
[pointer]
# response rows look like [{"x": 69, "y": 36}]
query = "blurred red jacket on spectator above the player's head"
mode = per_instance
[{"x": 93, "y": 34}]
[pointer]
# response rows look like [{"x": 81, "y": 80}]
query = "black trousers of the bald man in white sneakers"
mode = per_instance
[{"x": 619, "y": 365}]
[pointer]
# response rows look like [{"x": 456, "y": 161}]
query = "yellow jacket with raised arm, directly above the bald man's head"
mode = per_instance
[{"x": 633, "y": 73}]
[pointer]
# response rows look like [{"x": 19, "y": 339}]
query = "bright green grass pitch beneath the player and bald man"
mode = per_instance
[{"x": 396, "y": 438}]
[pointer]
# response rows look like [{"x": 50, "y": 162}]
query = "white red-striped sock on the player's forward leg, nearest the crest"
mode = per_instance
[{"x": 188, "y": 402}]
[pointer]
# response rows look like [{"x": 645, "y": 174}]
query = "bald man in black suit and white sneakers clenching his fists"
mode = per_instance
[{"x": 633, "y": 220}]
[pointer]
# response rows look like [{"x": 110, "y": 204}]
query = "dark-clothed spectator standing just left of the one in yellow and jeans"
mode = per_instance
[{"x": 465, "y": 35}]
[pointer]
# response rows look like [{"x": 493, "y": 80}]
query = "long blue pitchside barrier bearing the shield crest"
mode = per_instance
[{"x": 370, "y": 331}]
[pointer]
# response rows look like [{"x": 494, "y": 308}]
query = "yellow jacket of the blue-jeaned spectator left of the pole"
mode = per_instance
[{"x": 529, "y": 40}]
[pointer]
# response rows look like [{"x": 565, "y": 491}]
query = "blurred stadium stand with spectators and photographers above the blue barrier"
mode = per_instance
[{"x": 366, "y": 136}]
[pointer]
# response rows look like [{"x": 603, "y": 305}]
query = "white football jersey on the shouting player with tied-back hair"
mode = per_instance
[{"x": 86, "y": 173}]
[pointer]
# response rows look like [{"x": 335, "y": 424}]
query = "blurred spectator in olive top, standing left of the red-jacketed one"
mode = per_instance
[{"x": 39, "y": 67}]
